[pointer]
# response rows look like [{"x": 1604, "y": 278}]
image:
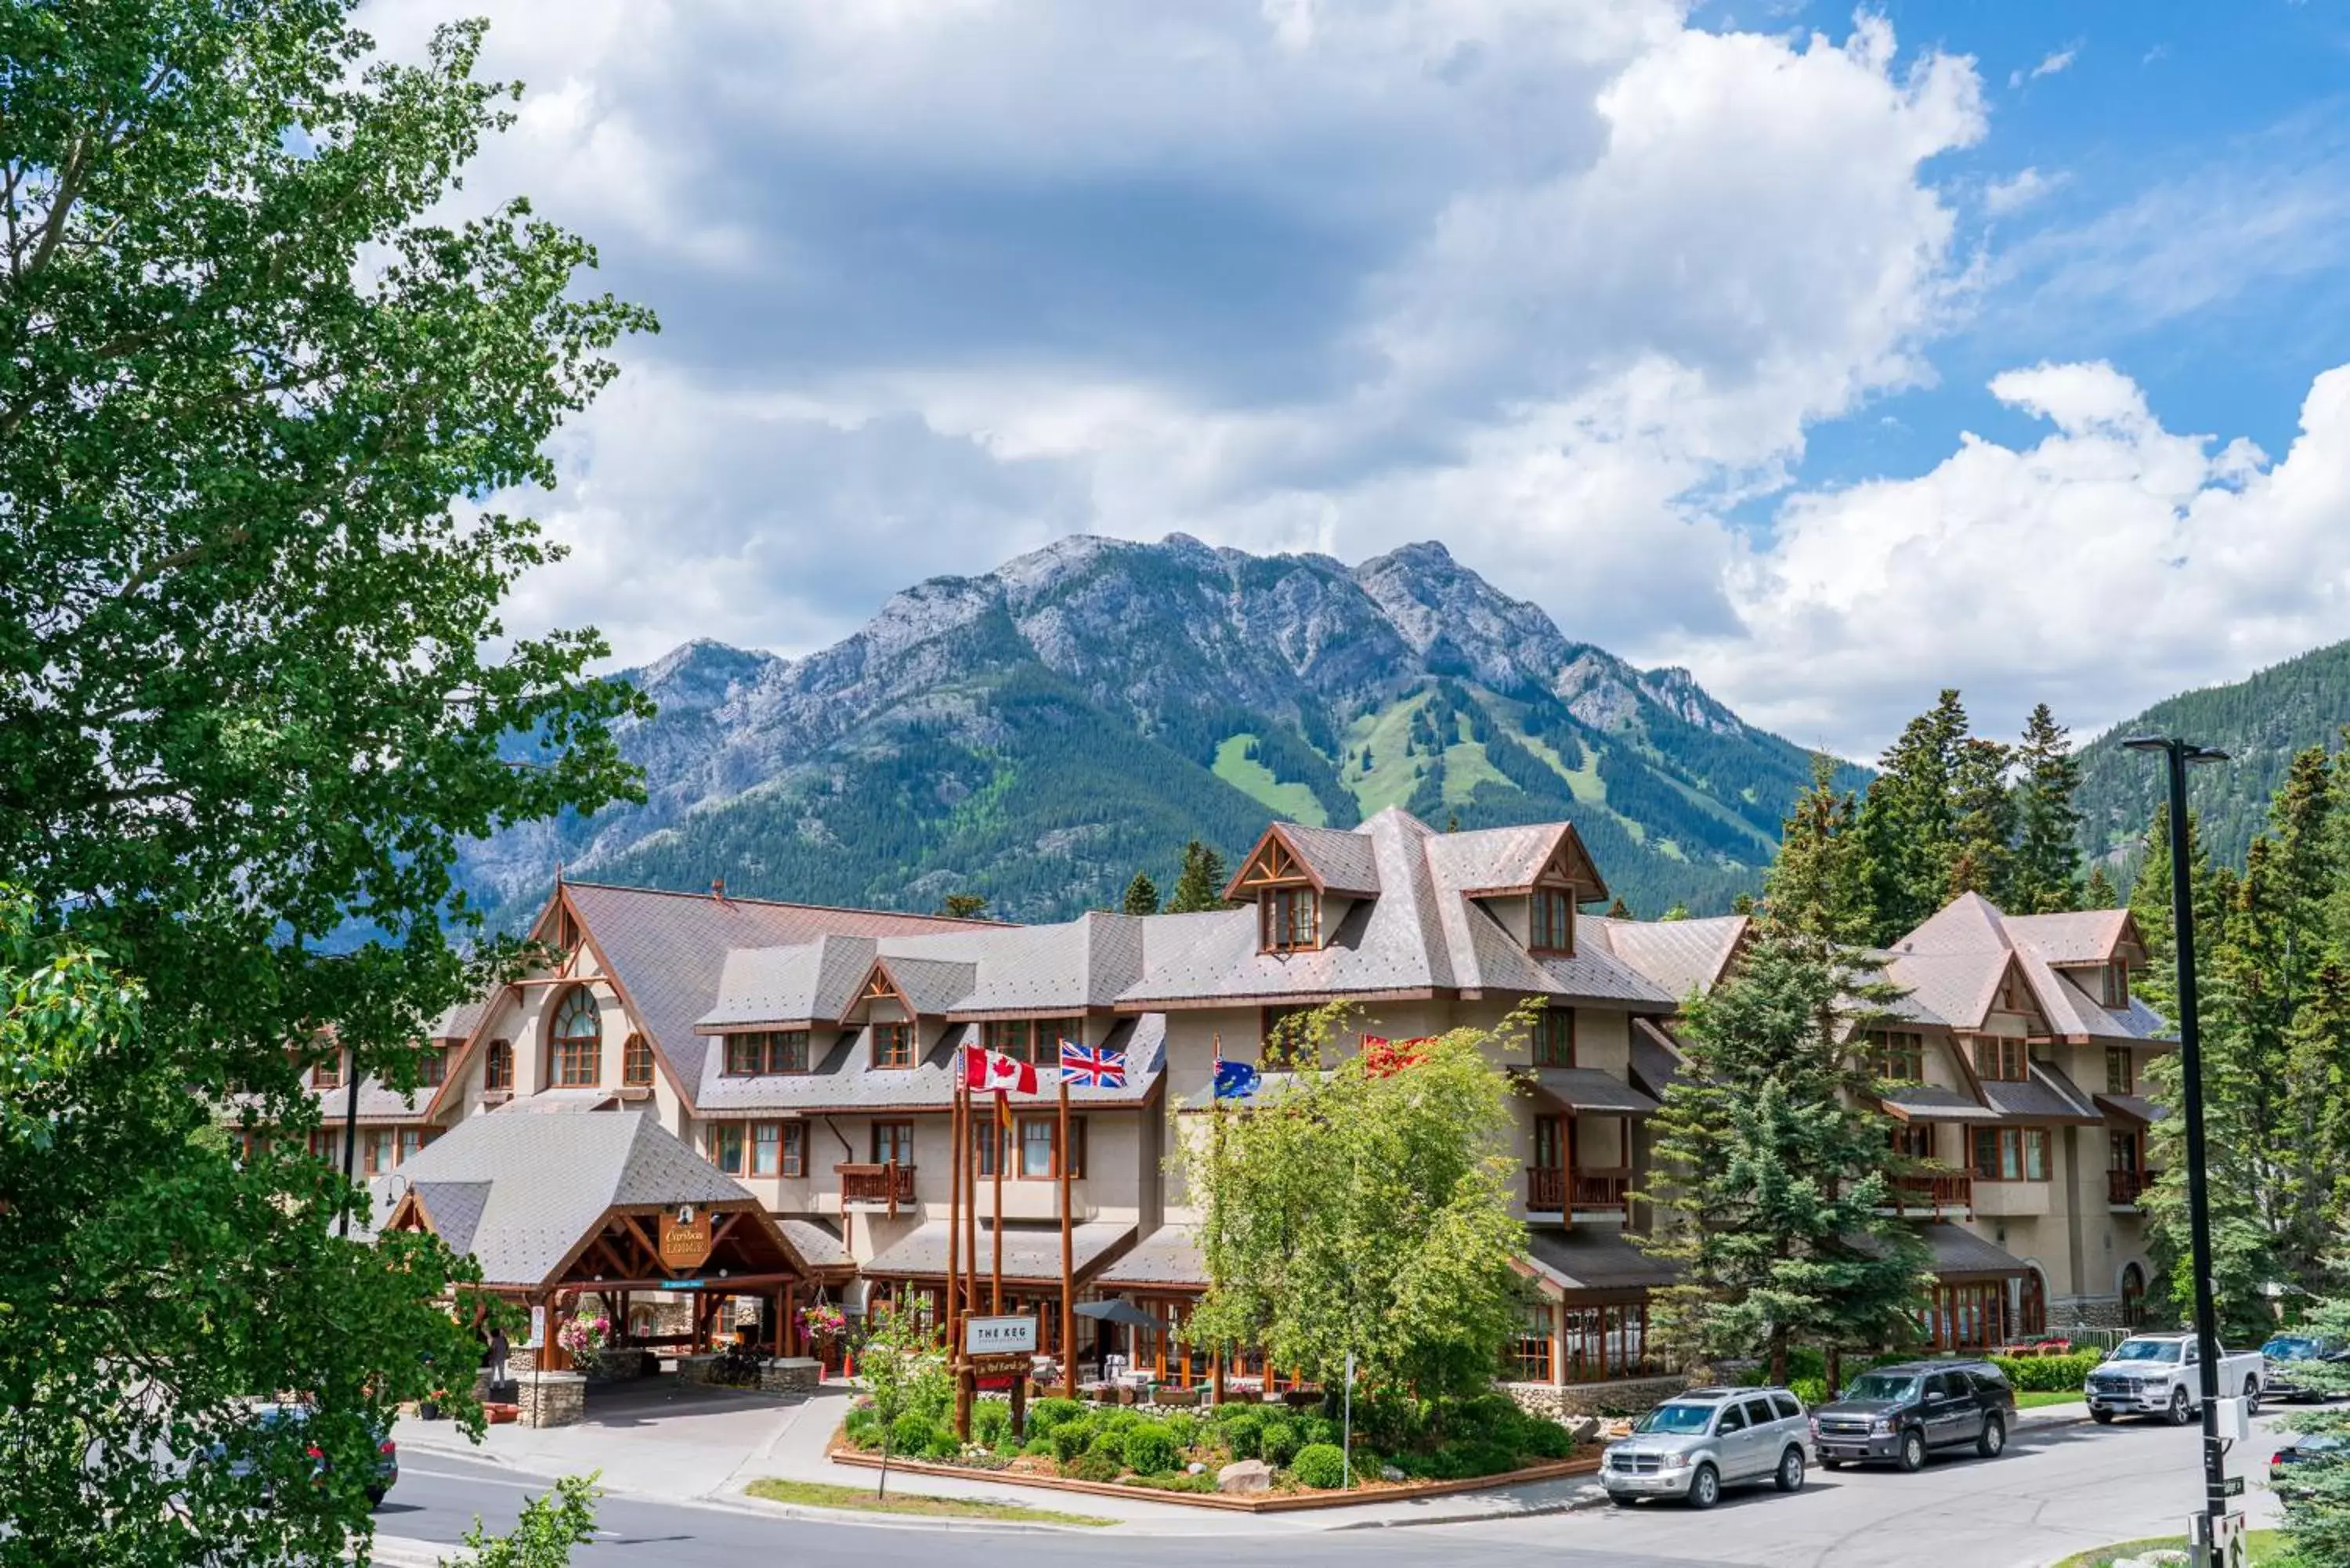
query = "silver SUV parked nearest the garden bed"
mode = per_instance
[{"x": 1700, "y": 1442}]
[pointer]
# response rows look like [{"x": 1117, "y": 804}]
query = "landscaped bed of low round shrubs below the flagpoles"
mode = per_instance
[{"x": 1233, "y": 1456}]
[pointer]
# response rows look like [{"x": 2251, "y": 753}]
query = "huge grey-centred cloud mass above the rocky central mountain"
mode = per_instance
[{"x": 1555, "y": 281}]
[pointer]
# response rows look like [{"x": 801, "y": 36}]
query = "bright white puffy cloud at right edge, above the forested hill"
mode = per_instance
[{"x": 2100, "y": 570}]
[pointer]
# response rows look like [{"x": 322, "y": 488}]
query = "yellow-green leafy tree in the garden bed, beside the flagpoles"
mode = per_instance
[{"x": 1367, "y": 1212}]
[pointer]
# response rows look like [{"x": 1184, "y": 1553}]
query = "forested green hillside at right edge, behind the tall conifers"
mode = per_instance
[{"x": 2260, "y": 723}]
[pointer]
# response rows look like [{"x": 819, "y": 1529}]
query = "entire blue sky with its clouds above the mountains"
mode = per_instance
[{"x": 1839, "y": 356}]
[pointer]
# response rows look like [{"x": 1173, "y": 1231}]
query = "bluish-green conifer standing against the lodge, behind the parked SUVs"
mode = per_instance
[{"x": 1773, "y": 1167}]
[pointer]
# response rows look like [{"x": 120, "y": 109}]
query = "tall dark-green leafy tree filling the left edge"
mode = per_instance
[{"x": 257, "y": 406}]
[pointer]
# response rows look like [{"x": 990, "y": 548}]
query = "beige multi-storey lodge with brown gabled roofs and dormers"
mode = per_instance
[{"x": 807, "y": 1054}]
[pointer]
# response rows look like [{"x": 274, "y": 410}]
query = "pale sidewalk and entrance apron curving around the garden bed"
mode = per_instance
[{"x": 706, "y": 1447}]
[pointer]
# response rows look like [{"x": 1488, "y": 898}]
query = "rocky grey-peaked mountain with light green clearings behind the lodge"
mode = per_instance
[{"x": 1042, "y": 732}]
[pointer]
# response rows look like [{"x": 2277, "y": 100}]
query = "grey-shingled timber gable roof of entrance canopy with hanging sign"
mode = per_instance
[{"x": 589, "y": 1200}]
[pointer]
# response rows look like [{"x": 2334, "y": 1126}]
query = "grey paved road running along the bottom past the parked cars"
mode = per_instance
[{"x": 2060, "y": 1489}]
